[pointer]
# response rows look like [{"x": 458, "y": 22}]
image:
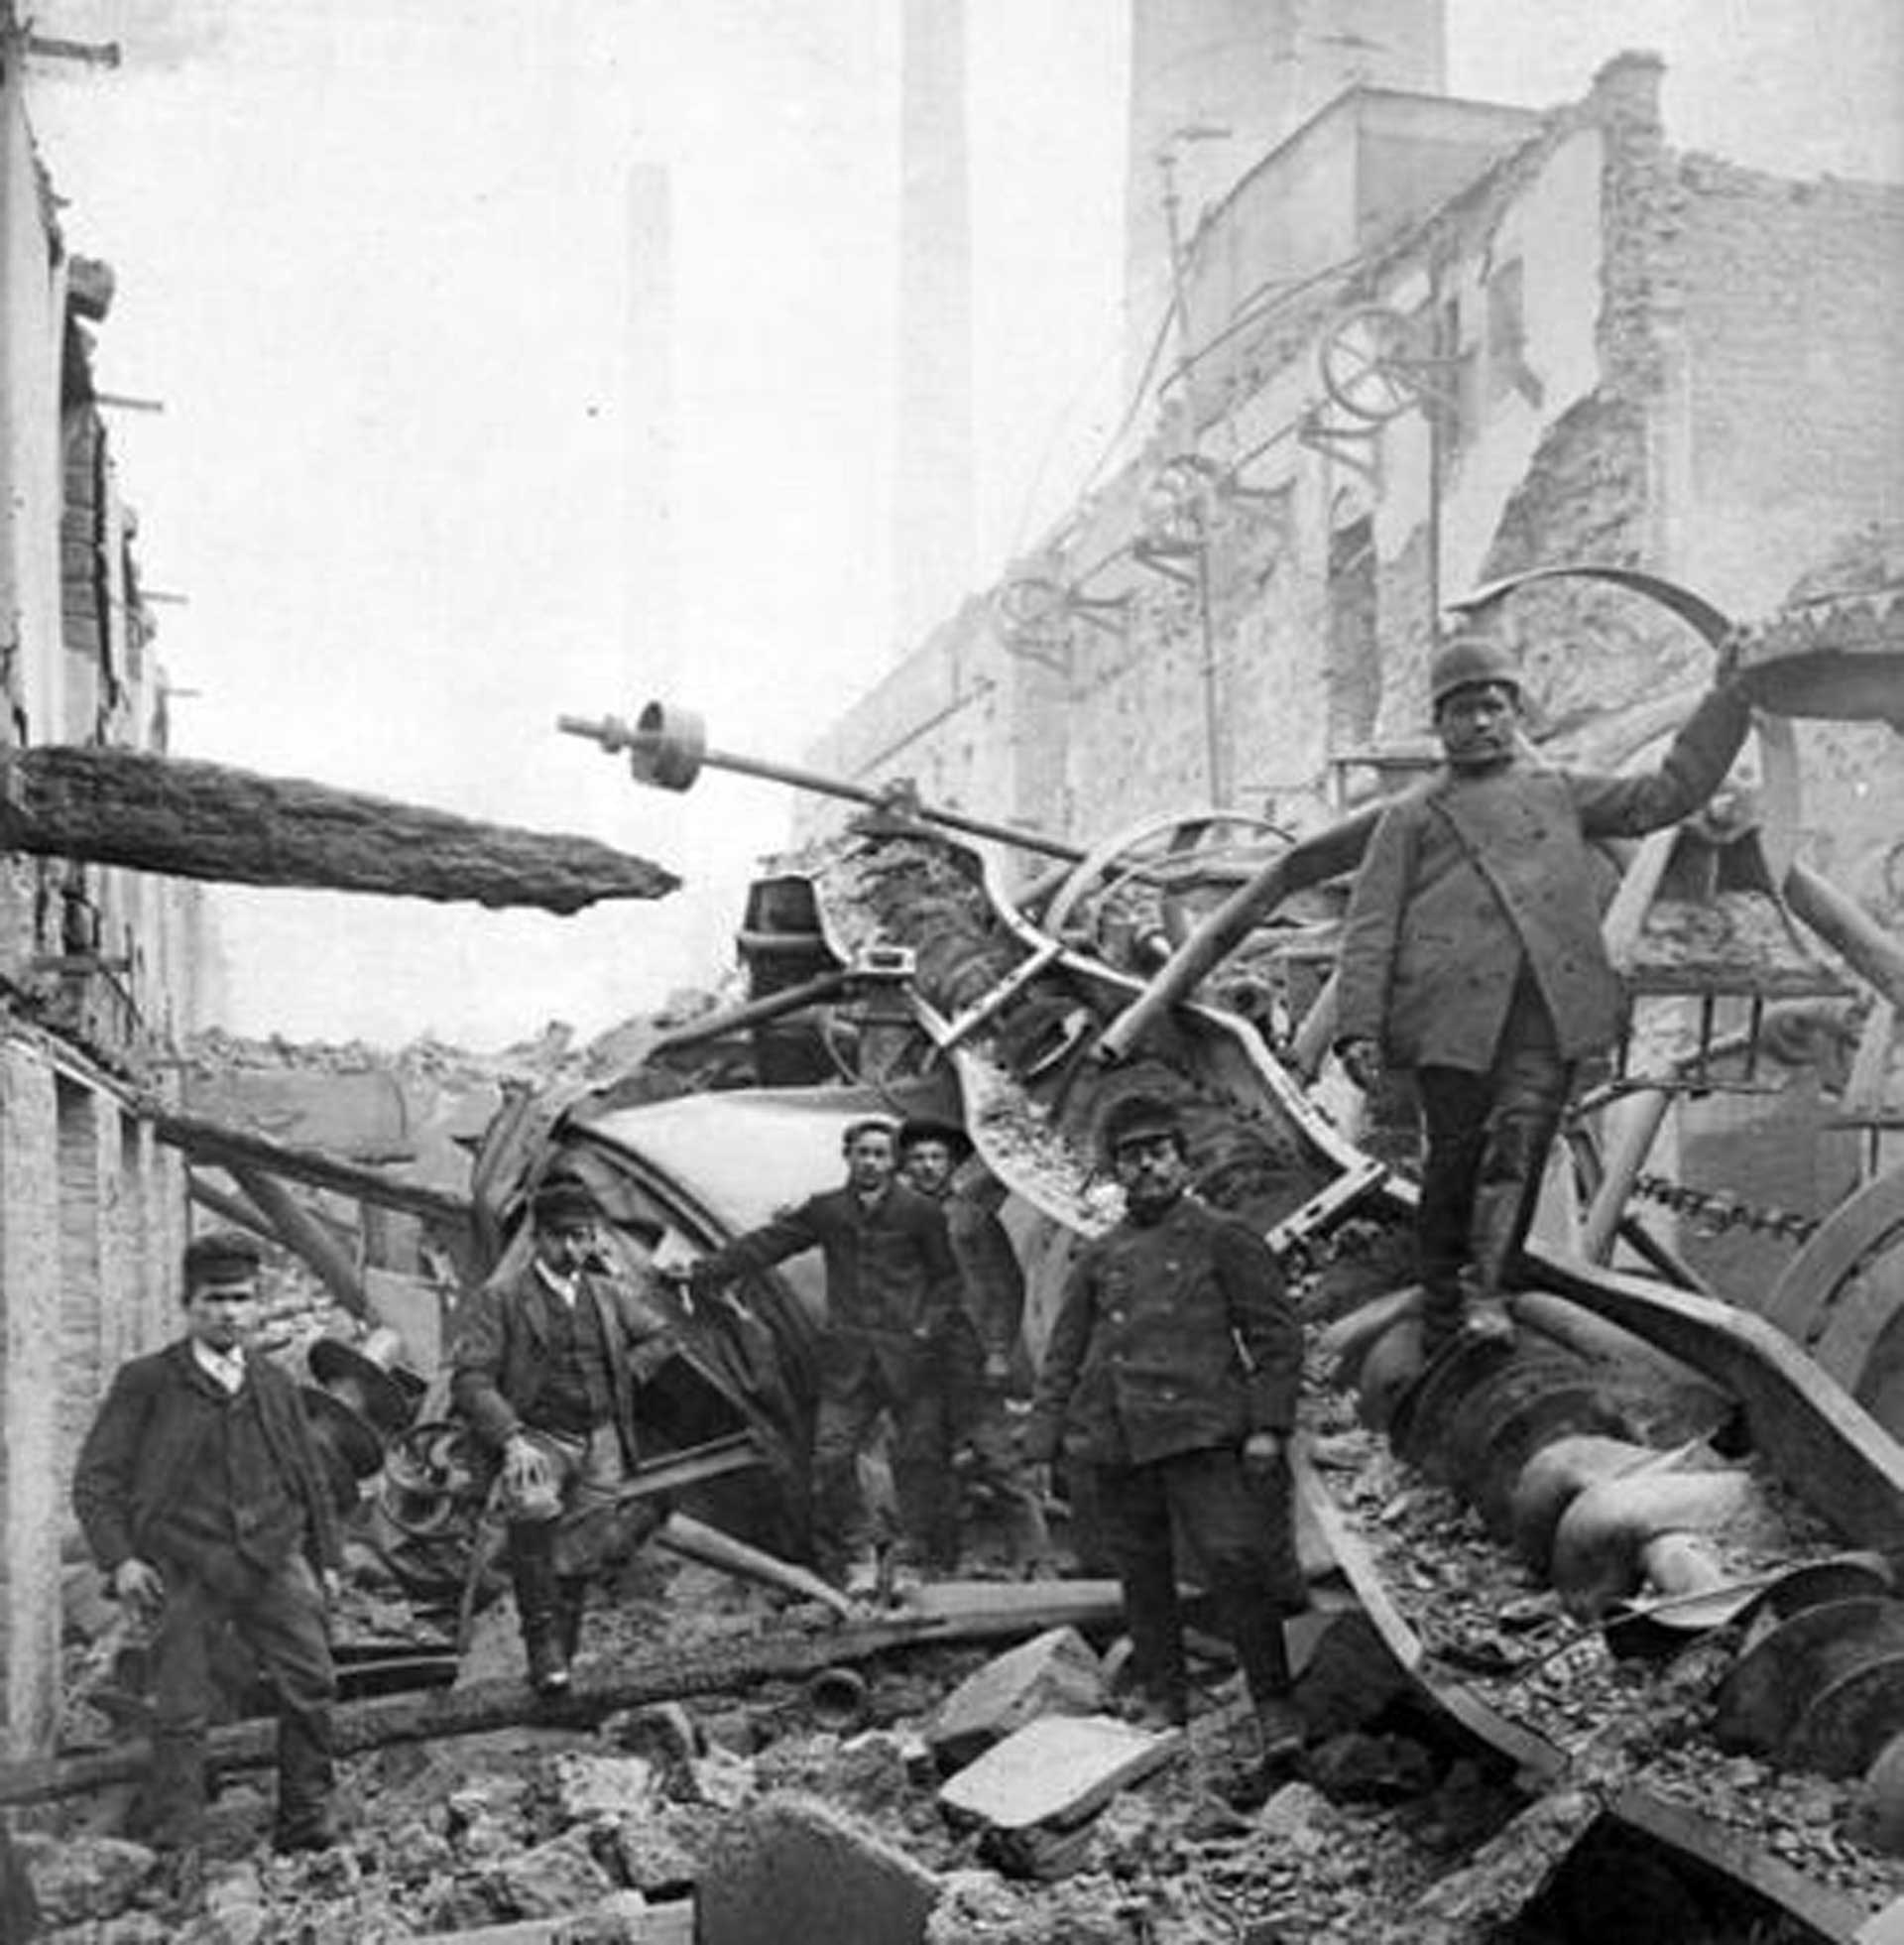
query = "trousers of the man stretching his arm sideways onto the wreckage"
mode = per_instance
[{"x": 923, "y": 1477}]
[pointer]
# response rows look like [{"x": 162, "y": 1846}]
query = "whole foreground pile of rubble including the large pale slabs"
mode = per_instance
[{"x": 934, "y": 1796}]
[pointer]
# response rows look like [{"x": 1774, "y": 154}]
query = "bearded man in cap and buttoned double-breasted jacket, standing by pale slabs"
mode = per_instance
[{"x": 1174, "y": 1372}]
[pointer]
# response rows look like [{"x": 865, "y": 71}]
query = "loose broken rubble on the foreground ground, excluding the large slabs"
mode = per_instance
[{"x": 534, "y": 1821}]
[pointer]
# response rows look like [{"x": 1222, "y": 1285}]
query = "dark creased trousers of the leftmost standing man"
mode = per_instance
[{"x": 281, "y": 1619}]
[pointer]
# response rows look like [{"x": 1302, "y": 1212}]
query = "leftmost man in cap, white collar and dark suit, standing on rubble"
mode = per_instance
[{"x": 203, "y": 1501}]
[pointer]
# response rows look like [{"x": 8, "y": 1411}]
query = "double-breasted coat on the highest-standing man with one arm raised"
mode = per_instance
[{"x": 1475, "y": 876}]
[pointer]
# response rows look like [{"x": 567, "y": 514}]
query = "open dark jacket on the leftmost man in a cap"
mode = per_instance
[{"x": 157, "y": 1423}]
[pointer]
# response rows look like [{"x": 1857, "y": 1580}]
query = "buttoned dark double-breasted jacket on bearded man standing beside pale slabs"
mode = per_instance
[{"x": 1172, "y": 1337}]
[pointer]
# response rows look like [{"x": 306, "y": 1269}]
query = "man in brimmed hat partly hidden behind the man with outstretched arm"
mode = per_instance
[{"x": 985, "y": 1355}]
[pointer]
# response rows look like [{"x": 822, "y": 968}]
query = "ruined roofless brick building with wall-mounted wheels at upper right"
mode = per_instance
[{"x": 1421, "y": 345}]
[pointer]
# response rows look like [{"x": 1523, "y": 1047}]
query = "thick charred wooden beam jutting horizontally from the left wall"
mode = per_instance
[{"x": 211, "y": 822}]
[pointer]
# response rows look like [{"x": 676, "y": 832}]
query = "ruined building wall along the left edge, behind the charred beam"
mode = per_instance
[{"x": 98, "y": 968}]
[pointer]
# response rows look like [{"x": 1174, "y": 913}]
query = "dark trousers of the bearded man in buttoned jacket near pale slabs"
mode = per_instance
[{"x": 1224, "y": 1522}]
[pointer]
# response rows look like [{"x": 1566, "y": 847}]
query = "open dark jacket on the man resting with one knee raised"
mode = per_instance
[{"x": 501, "y": 1357}]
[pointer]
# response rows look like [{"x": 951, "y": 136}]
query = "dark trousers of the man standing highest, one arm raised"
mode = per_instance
[{"x": 1487, "y": 1143}]
